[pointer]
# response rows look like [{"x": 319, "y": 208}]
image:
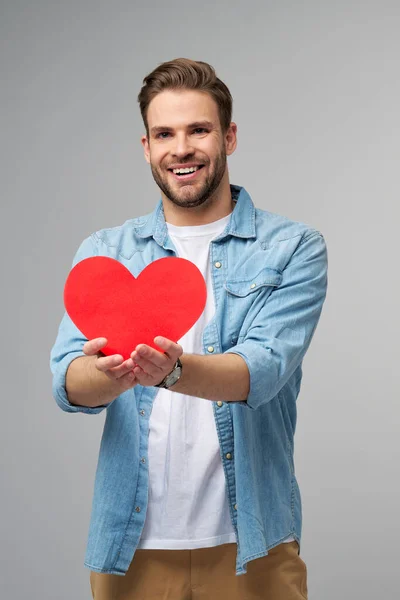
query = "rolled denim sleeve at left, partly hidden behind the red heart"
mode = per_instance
[{"x": 68, "y": 345}]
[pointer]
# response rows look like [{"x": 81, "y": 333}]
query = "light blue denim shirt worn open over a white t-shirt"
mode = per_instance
[{"x": 269, "y": 288}]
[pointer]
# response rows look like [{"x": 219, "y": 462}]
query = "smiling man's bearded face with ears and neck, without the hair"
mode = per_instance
[{"x": 187, "y": 182}]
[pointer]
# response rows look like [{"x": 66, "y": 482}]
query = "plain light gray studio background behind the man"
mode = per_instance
[{"x": 316, "y": 99}]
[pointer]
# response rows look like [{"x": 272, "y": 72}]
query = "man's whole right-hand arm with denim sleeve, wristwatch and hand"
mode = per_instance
[{"x": 270, "y": 351}]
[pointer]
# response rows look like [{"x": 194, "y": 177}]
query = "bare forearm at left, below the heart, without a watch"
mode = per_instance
[{"x": 87, "y": 386}]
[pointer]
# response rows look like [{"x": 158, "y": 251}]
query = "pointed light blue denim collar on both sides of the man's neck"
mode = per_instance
[{"x": 241, "y": 223}]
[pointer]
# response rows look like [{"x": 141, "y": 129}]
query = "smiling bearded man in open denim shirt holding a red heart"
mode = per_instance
[{"x": 195, "y": 493}]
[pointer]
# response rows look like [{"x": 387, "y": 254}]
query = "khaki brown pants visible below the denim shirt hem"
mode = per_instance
[{"x": 206, "y": 574}]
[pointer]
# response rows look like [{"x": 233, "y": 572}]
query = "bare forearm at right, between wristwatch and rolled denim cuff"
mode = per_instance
[{"x": 221, "y": 377}]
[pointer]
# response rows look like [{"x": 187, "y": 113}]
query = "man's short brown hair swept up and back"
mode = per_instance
[{"x": 183, "y": 73}]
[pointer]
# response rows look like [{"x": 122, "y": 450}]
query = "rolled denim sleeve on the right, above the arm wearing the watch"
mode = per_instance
[{"x": 280, "y": 334}]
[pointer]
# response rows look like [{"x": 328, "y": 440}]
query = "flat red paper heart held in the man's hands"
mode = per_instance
[{"x": 103, "y": 299}]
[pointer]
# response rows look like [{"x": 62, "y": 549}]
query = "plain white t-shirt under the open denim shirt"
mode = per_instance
[{"x": 188, "y": 503}]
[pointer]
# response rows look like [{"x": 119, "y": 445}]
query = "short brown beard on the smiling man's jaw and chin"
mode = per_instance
[{"x": 192, "y": 195}]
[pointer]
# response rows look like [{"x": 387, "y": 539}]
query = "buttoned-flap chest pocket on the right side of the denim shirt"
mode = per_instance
[{"x": 246, "y": 296}]
